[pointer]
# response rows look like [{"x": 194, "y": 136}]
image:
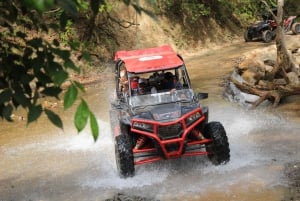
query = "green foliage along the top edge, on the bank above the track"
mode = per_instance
[{"x": 191, "y": 12}]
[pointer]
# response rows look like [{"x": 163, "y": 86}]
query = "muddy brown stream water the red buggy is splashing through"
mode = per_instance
[{"x": 41, "y": 162}]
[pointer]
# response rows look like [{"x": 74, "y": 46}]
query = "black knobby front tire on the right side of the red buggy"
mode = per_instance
[{"x": 218, "y": 150}]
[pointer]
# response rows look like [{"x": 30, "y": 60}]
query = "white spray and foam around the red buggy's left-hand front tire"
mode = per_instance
[{"x": 107, "y": 176}]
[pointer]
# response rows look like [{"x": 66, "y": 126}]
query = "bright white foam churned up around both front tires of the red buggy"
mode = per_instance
[{"x": 188, "y": 173}]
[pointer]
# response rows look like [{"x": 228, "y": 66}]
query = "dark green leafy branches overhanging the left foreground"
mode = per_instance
[{"x": 31, "y": 65}]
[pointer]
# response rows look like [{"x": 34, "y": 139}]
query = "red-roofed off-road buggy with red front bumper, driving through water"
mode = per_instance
[{"x": 166, "y": 123}]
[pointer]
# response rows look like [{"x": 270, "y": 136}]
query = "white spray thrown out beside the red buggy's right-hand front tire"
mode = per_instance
[{"x": 245, "y": 152}]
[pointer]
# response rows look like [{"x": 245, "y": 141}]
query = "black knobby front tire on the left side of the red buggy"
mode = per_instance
[{"x": 124, "y": 156}]
